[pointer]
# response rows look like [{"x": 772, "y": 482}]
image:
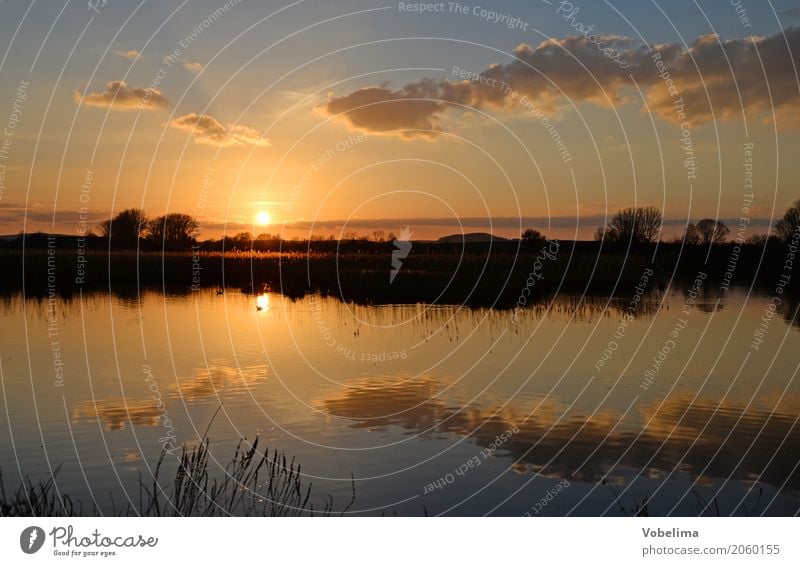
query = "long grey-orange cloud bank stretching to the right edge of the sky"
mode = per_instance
[{"x": 585, "y": 69}]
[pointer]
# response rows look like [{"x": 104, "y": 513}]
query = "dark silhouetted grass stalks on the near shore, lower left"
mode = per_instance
[{"x": 254, "y": 484}]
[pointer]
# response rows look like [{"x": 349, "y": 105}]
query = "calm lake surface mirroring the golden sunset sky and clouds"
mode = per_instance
[{"x": 312, "y": 376}]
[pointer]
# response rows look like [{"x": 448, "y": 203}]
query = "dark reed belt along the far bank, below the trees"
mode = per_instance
[{"x": 476, "y": 274}]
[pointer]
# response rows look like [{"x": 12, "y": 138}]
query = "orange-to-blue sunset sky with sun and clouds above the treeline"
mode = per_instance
[{"x": 315, "y": 117}]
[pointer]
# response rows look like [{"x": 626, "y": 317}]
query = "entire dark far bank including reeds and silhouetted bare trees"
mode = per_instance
[{"x": 491, "y": 272}]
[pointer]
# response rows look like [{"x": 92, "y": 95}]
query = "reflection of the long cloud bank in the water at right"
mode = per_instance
[{"x": 559, "y": 444}]
